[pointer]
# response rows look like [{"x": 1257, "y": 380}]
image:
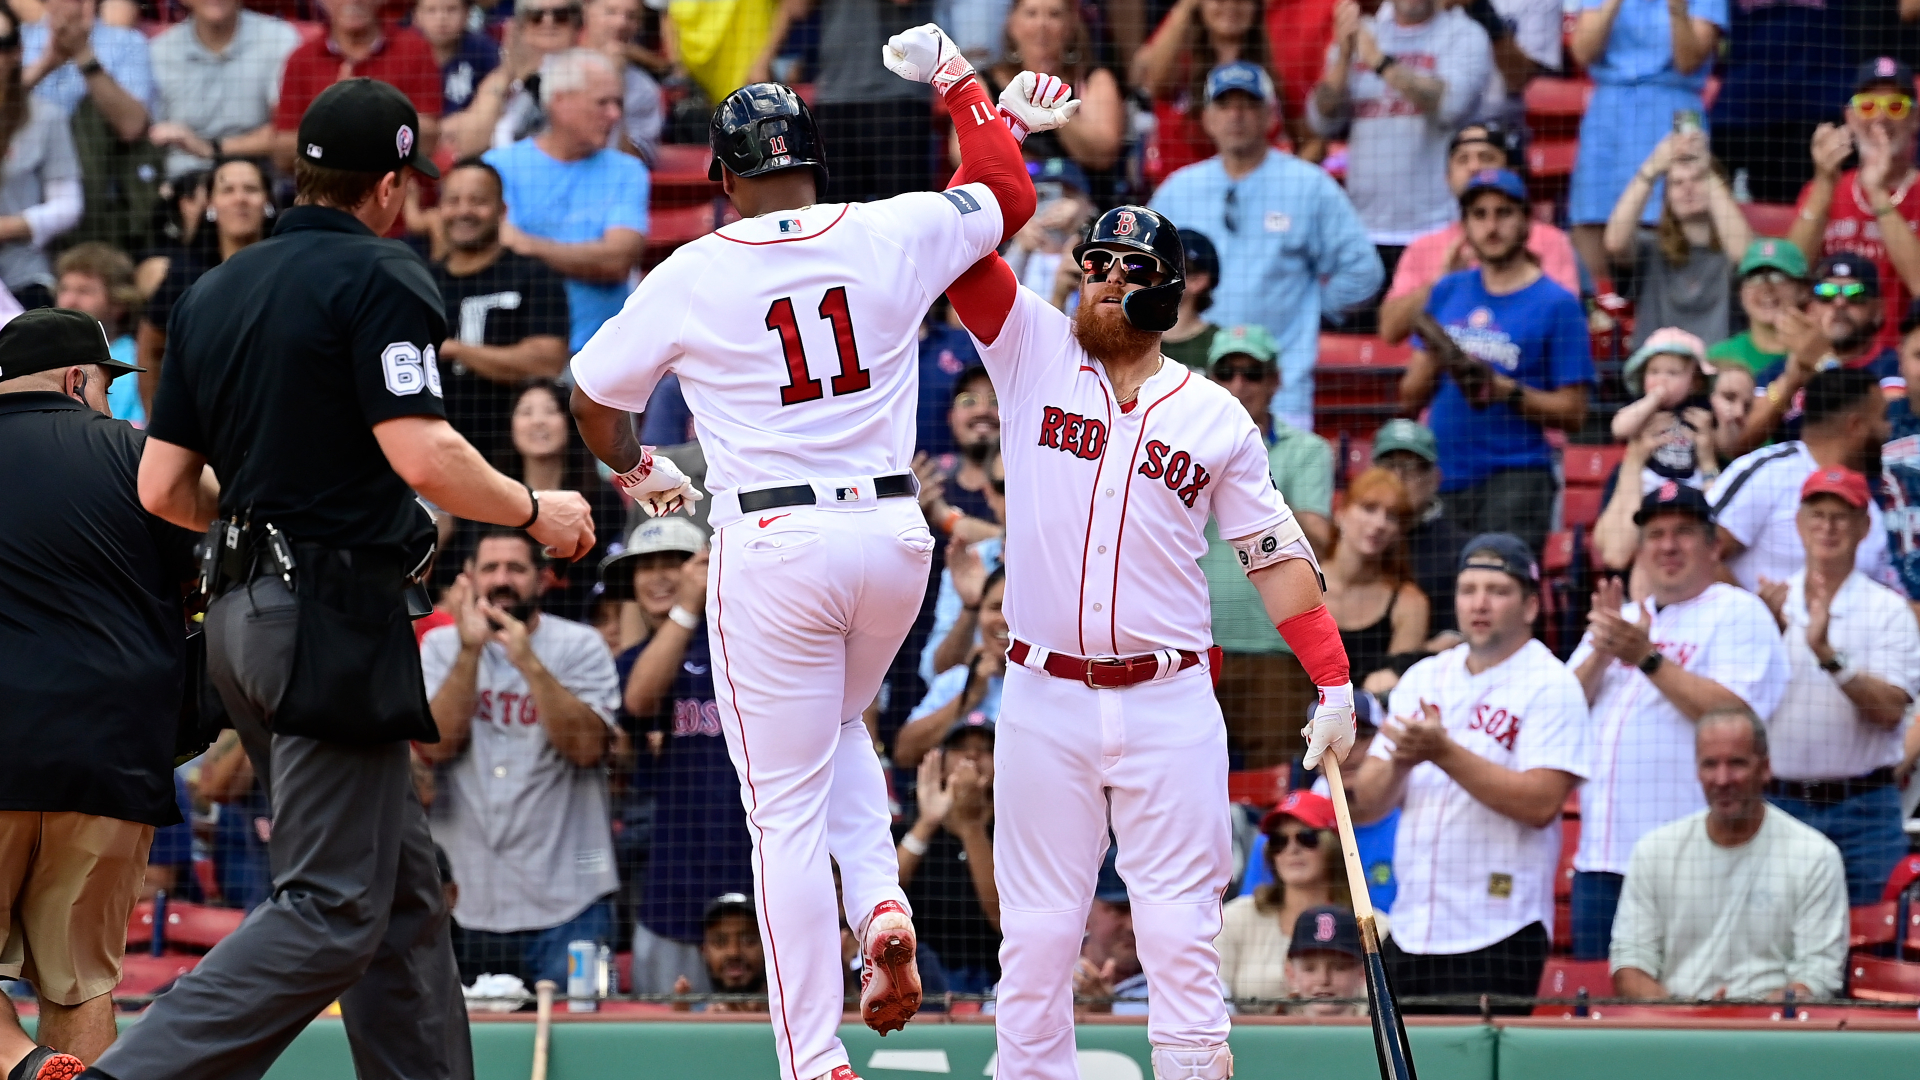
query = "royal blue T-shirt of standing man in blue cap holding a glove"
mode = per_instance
[{"x": 1535, "y": 337}]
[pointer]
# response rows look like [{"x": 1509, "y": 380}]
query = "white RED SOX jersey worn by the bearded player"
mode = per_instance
[{"x": 1107, "y": 506}]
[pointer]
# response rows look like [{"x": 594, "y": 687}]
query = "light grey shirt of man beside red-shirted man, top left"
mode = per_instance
[{"x": 220, "y": 95}]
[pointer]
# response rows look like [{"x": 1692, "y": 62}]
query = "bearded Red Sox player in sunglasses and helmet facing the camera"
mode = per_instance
[{"x": 1115, "y": 462}]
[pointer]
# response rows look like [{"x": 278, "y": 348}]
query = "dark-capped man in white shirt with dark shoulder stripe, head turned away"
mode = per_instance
[{"x": 1760, "y": 495}]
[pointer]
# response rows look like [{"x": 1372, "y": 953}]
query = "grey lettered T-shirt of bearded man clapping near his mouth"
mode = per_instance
[{"x": 523, "y": 827}]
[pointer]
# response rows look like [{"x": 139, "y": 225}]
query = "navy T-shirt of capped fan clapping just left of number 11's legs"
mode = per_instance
[{"x": 700, "y": 829}]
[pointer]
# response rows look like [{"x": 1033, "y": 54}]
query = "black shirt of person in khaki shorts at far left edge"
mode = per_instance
[{"x": 91, "y": 626}]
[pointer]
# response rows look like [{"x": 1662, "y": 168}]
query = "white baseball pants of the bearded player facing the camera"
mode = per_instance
[{"x": 1067, "y": 760}]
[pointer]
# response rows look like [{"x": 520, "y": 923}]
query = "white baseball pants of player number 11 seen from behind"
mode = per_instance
[{"x": 807, "y": 612}]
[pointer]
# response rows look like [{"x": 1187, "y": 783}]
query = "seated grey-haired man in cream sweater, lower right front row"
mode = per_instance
[{"x": 1737, "y": 900}]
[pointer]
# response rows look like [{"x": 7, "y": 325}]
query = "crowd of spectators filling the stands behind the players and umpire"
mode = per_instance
[{"x": 1717, "y": 672}]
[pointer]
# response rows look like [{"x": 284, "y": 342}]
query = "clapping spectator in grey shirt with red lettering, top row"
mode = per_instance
[{"x": 1401, "y": 84}]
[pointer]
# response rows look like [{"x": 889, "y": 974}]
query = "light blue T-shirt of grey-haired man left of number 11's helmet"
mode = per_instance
[{"x": 575, "y": 203}]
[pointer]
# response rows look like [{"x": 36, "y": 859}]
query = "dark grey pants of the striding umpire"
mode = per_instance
[{"x": 356, "y": 914}]
